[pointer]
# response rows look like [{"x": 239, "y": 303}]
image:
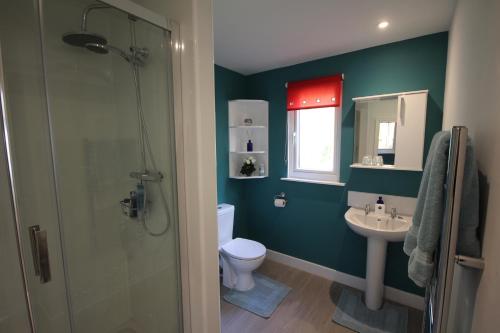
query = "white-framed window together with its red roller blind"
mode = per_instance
[{"x": 313, "y": 137}]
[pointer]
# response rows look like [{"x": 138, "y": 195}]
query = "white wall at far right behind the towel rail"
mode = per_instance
[{"x": 471, "y": 99}]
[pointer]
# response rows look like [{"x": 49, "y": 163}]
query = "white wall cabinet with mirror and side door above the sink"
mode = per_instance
[{"x": 389, "y": 131}]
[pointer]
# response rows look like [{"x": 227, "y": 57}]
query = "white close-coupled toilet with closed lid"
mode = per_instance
[{"x": 239, "y": 257}]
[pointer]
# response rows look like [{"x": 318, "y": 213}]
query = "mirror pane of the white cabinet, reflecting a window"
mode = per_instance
[{"x": 375, "y": 130}]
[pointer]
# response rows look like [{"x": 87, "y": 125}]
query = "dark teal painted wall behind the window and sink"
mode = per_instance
[{"x": 312, "y": 227}]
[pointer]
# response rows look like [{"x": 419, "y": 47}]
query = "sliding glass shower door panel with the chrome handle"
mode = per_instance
[{"x": 26, "y": 111}]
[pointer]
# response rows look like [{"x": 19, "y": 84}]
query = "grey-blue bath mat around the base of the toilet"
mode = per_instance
[{"x": 263, "y": 299}]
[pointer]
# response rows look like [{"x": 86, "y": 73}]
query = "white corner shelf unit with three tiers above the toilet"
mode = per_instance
[{"x": 240, "y": 131}]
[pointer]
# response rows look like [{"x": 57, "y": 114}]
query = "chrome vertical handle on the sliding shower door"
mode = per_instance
[{"x": 40, "y": 252}]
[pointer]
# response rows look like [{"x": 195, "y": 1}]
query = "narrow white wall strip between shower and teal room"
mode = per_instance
[{"x": 197, "y": 194}]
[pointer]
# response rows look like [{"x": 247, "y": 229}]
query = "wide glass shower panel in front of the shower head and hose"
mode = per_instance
[{"x": 113, "y": 140}]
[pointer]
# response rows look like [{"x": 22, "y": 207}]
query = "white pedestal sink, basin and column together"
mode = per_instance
[{"x": 379, "y": 229}]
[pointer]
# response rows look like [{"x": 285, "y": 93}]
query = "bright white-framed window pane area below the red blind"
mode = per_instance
[{"x": 314, "y": 144}]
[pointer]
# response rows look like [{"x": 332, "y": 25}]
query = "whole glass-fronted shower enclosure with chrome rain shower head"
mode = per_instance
[{"x": 88, "y": 196}]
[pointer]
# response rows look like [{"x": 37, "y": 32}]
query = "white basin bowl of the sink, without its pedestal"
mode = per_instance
[{"x": 380, "y": 226}]
